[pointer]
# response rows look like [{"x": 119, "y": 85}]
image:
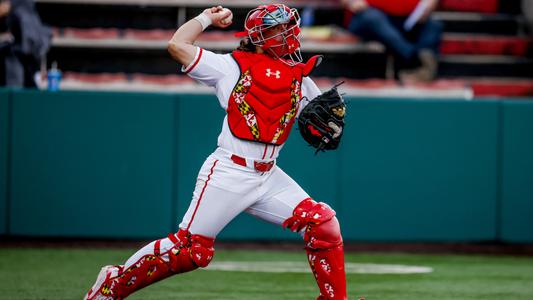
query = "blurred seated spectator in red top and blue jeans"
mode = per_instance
[{"x": 406, "y": 29}]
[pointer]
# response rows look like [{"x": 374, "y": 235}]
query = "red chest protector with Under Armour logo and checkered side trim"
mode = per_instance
[{"x": 264, "y": 102}]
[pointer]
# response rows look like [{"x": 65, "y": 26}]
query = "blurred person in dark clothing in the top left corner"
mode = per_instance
[{"x": 26, "y": 43}]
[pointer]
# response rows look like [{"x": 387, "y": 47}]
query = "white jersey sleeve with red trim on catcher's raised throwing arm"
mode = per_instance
[{"x": 207, "y": 67}]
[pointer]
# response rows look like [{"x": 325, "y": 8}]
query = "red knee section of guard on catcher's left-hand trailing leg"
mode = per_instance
[{"x": 198, "y": 248}]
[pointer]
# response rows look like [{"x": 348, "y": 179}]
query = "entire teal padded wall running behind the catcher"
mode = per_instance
[{"x": 123, "y": 165}]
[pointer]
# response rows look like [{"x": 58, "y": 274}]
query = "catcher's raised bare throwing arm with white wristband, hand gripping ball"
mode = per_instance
[{"x": 181, "y": 46}]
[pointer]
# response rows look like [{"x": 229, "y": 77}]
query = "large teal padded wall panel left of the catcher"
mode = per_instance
[{"x": 90, "y": 164}]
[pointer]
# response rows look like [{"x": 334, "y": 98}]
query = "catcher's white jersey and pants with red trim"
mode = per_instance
[{"x": 223, "y": 188}]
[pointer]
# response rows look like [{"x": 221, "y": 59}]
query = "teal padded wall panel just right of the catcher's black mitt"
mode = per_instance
[{"x": 420, "y": 170}]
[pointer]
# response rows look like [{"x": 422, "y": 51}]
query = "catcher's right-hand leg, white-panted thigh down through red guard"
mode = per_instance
[{"x": 287, "y": 204}]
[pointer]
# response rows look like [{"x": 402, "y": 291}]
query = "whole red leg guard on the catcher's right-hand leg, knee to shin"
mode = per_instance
[{"x": 324, "y": 246}]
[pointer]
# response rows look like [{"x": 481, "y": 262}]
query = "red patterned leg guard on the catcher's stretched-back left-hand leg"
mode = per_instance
[{"x": 188, "y": 253}]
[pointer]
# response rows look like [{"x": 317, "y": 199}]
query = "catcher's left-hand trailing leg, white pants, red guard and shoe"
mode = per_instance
[{"x": 191, "y": 247}]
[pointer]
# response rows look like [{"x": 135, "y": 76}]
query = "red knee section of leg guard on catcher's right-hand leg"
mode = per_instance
[{"x": 322, "y": 227}]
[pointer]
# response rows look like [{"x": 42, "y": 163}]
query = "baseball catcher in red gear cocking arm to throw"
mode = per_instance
[{"x": 261, "y": 86}]
